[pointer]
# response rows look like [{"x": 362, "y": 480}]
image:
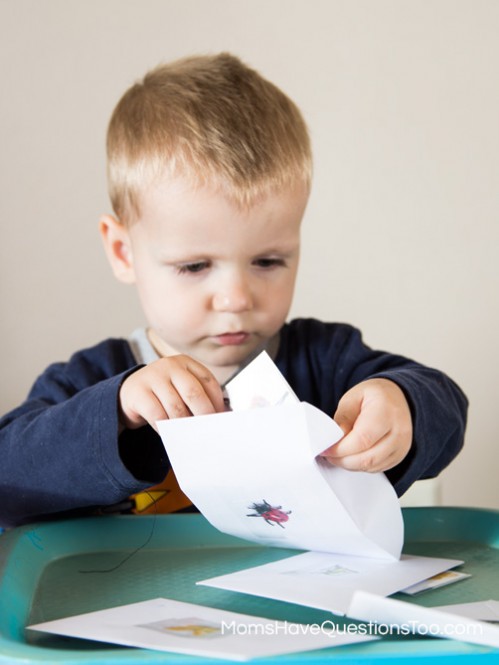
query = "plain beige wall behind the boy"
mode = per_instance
[{"x": 401, "y": 235}]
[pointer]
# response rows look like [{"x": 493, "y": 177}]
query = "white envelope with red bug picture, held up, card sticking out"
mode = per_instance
[{"x": 255, "y": 473}]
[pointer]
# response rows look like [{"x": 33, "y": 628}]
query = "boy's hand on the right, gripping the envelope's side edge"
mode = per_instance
[{"x": 377, "y": 422}]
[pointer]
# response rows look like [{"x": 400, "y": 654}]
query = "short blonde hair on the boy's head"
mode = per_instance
[{"x": 213, "y": 120}]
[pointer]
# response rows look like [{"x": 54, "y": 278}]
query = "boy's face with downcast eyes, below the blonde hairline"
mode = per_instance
[{"x": 215, "y": 282}]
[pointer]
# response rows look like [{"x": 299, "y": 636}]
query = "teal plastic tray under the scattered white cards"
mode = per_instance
[{"x": 56, "y": 569}]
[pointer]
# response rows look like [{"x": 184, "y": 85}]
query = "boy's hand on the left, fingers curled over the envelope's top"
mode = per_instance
[{"x": 171, "y": 387}]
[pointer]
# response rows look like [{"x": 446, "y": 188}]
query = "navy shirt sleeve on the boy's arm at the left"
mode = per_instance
[{"x": 60, "y": 448}]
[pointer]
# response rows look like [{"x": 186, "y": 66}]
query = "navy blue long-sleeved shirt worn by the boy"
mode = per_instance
[{"x": 61, "y": 449}]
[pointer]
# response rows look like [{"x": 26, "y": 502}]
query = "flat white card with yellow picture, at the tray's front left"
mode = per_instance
[{"x": 170, "y": 625}]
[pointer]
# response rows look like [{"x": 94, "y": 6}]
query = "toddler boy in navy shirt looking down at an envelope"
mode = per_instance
[{"x": 209, "y": 171}]
